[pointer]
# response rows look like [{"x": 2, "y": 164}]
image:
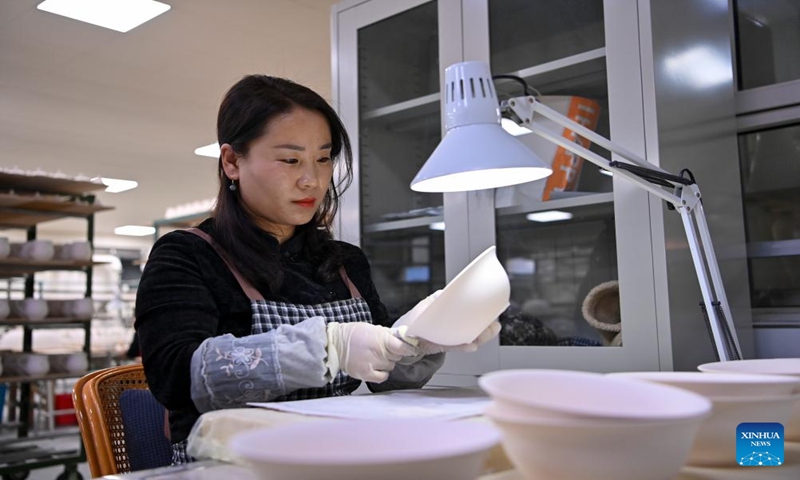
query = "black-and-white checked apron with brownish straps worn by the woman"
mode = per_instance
[{"x": 269, "y": 315}]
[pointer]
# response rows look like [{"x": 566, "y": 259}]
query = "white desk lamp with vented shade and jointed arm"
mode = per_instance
[{"x": 476, "y": 153}]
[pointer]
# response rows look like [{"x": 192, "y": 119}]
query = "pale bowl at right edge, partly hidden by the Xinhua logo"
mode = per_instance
[{"x": 736, "y": 398}]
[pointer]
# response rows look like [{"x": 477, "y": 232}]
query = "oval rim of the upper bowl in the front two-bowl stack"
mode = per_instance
[{"x": 690, "y": 404}]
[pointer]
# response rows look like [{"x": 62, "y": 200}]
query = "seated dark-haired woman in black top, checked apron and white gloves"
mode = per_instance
[{"x": 259, "y": 303}]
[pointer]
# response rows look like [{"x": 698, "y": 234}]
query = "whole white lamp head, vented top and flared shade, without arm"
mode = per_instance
[{"x": 475, "y": 153}]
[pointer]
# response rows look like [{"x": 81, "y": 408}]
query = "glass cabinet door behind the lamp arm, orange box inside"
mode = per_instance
[{"x": 556, "y": 237}]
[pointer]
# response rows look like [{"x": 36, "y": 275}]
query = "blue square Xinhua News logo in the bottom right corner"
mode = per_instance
[{"x": 759, "y": 444}]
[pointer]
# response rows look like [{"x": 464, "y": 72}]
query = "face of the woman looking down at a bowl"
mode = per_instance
[{"x": 286, "y": 173}]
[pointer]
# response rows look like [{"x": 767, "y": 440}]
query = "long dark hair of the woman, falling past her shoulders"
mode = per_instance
[{"x": 244, "y": 115}]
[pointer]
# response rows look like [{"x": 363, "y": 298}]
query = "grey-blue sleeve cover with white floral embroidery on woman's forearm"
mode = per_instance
[{"x": 228, "y": 372}]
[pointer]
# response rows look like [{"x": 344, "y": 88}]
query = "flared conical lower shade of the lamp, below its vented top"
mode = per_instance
[{"x": 477, "y": 157}]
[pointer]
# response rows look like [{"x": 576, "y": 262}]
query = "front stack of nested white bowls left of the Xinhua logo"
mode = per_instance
[{"x": 577, "y": 425}]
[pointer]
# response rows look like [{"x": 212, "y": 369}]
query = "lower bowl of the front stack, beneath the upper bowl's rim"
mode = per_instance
[{"x": 572, "y": 450}]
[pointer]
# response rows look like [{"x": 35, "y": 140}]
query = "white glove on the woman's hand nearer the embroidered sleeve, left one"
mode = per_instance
[{"x": 364, "y": 351}]
